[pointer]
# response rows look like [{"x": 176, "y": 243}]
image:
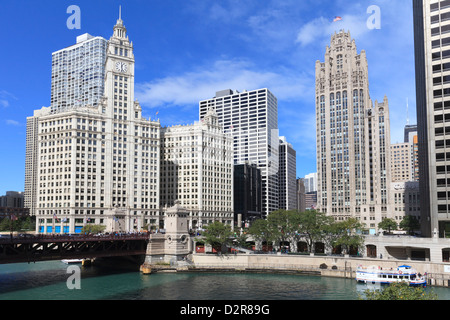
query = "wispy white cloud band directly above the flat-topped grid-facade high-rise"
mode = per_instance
[{"x": 203, "y": 82}]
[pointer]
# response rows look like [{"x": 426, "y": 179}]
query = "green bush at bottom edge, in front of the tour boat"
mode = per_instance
[{"x": 399, "y": 291}]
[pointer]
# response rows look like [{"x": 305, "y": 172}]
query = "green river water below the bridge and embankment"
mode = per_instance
[{"x": 51, "y": 281}]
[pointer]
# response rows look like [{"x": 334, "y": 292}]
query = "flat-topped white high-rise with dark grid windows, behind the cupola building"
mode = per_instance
[{"x": 252, "y": 119}]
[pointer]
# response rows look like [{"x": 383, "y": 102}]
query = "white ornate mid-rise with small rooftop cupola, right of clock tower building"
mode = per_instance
[{"x": 197, "y": 170}]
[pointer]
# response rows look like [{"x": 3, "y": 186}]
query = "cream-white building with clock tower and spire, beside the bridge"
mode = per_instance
[{"x": 97, "y": 163}]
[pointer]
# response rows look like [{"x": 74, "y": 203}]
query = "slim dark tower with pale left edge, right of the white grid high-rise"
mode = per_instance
[{"x": 287, "y": 176}]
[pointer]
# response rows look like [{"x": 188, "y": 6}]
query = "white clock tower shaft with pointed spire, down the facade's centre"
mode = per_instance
[{"x": 119, "y": 108}]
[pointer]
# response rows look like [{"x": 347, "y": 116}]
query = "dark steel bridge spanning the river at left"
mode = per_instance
[{"x": 58, "y": 247}]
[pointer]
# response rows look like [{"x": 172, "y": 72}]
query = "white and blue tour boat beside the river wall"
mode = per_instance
[{"x": 378, "y": 275}]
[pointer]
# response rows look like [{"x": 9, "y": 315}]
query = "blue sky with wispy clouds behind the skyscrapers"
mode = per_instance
[{"x": 186, "y": 50}]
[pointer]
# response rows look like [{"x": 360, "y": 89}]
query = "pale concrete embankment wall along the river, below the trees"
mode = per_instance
[{"x": 330, "y": 266}]
